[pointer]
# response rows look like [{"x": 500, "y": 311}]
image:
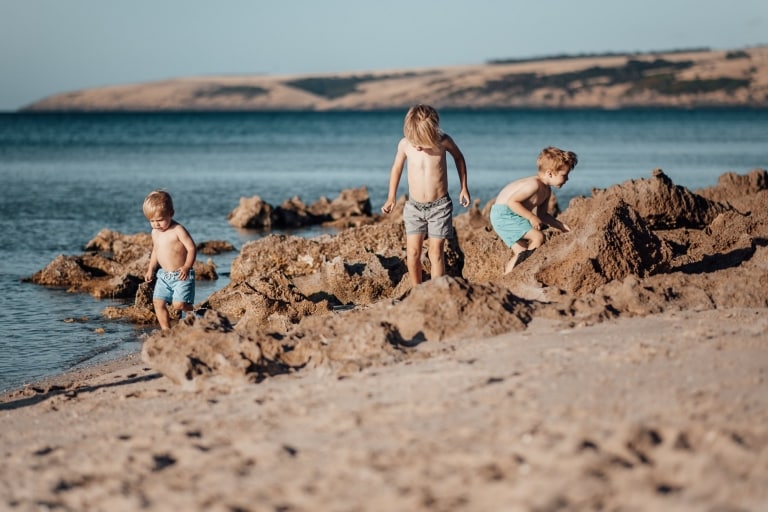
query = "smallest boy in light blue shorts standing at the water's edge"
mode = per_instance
[{"x": 174, "y": 251}]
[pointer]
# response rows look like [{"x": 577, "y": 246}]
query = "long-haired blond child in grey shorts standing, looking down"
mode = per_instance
[{"x": 429, "y": 209}]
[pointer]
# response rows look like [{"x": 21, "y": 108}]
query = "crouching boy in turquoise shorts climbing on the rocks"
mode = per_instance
[{"x": 512, "y": 214}]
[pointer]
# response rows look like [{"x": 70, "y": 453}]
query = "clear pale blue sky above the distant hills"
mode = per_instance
[{"x": 53, "y": 46}]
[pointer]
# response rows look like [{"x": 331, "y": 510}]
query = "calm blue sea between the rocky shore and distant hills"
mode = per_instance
[{"x": 64, "y": 177}]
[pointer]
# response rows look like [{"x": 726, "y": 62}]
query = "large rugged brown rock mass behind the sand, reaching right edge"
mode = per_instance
[{"x": 697, "y": 254}]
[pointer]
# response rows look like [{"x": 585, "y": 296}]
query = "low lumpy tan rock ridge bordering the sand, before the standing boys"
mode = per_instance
[{"x": 210, "y": 351}]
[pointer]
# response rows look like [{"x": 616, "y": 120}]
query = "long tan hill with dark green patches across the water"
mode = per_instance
[{"x": 691, "y": 78}]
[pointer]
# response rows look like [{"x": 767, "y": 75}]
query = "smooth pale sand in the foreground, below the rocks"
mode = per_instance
[{"x": 666, "y": 411}]
